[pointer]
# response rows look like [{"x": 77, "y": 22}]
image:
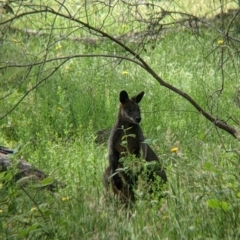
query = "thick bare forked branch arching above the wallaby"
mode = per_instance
[{"x": 136, "y": 58}]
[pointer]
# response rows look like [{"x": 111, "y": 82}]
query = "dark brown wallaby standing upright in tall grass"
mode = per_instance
[{"x": 127, "y": 128}]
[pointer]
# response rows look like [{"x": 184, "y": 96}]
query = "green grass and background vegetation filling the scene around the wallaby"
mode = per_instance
[{"x": 55, "y": 95}]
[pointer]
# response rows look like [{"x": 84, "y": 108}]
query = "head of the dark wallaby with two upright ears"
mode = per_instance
[{"x": 129, "y": 109}]
